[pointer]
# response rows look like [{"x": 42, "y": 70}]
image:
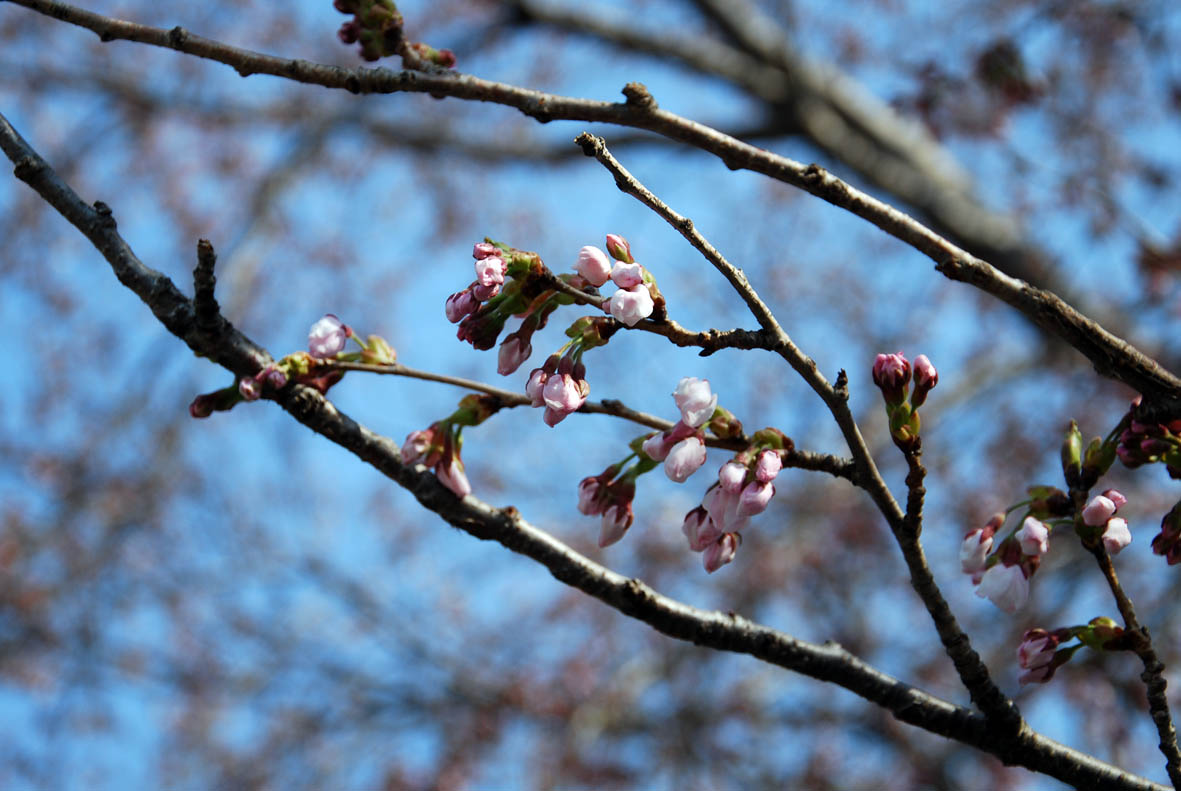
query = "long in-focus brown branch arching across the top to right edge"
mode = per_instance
[{"x": 1112, "y": 356}]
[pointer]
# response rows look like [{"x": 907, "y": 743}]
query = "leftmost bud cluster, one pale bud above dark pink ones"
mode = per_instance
[{"x": 325, "y": 342}]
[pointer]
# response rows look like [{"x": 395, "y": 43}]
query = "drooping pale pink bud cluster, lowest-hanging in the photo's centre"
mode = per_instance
[{"x": 745, "y": 489}]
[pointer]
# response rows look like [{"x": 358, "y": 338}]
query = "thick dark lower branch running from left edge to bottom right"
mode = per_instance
[{"x": 828, "y": 663}]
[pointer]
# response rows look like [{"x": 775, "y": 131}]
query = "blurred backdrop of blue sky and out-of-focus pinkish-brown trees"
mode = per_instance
[{"x": 237, "y": 604}]
